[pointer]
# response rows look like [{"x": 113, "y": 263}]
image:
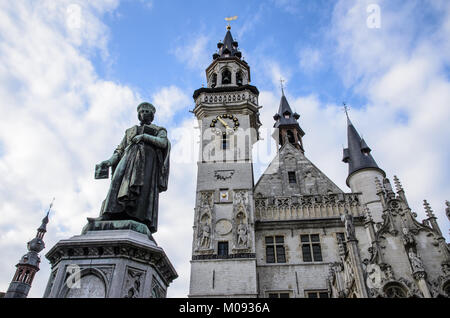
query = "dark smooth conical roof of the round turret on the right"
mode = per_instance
[{"x": 357, "y": 155}]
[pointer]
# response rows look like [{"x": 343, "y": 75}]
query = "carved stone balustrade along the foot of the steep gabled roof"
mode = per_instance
[{"x": 307, "y": 207}]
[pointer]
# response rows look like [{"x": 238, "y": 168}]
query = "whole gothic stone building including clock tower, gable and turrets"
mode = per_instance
[{"x": 293, "y": 232}]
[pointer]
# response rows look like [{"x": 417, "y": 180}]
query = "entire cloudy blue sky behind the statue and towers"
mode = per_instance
[{"x": 72, "y": 73}]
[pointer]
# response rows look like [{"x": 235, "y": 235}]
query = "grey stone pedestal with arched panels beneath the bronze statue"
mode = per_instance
[{"x": 111, "y": 259}]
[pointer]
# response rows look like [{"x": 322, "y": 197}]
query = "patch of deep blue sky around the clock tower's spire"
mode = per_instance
[{"x": 144, "y": 39}]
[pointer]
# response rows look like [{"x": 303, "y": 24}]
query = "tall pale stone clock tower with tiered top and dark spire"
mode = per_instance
[{"x": 223, "y": 247}]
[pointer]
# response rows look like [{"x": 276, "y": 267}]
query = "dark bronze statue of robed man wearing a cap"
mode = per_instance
[{"x": 140, "y": 171}]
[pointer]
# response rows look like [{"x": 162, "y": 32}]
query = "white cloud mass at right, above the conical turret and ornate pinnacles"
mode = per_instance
[{"x": 400, "y": 69}]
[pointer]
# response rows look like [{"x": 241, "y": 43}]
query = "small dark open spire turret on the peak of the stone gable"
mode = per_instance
[{"x": 287, "y": 123}]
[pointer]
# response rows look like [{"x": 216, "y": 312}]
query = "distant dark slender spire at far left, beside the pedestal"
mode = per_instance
[{"x": 28, "y": 264}]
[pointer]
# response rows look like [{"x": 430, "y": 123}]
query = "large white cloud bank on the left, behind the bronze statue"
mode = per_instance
[{"x": 58, "y": 120}]
